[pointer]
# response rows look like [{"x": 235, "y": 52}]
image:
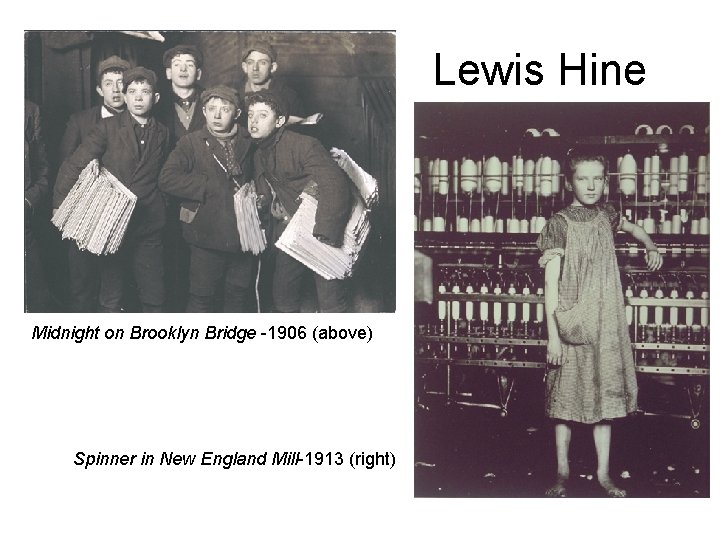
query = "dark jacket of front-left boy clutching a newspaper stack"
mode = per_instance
[{"x": 113, "y": 142}]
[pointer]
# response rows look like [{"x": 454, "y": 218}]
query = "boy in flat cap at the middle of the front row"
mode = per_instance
[{"x": 205, "y": 170}]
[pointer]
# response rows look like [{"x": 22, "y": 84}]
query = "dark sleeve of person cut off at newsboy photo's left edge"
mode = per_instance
[{"x": 36, "y": 163}]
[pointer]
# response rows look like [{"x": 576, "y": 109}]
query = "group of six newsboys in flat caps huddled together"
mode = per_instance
[{"x": 187, "y": 157}]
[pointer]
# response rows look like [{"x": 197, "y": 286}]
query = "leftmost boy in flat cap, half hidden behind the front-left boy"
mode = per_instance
[{"x": 83, "y": 268}]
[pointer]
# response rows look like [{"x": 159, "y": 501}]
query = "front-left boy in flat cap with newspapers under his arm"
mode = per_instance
[{"x": 132, "y": 146}]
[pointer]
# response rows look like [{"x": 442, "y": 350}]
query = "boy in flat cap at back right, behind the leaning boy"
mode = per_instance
[{"x": 259, "y": 63}]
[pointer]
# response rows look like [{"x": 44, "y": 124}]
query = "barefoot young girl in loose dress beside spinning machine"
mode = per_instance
[{"x": 591, "y": 372}]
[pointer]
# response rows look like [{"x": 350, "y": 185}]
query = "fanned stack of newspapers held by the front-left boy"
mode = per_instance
[{"x": 96, "y": 212}]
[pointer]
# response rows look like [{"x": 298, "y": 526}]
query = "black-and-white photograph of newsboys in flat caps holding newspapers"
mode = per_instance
[{"x": 209, "y": 171}]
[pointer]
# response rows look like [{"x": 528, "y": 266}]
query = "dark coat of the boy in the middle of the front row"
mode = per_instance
[{"x": 192, "y": 174}]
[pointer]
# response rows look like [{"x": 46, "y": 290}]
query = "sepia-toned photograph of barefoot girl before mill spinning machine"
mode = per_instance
[{"x": 562, "y": 259}]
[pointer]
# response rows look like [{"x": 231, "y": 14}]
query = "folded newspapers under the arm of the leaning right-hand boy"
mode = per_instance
[{"x": 332, "y": 262}]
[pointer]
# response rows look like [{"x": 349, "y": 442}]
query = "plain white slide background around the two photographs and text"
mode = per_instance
[{"x": 59, "y": 398}]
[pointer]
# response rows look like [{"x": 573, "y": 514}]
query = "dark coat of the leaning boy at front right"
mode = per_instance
[{"x": 289, "y": 161}]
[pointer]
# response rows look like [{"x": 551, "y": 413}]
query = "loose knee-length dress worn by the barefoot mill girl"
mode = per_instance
[{"x": 597, "y": 382}]
